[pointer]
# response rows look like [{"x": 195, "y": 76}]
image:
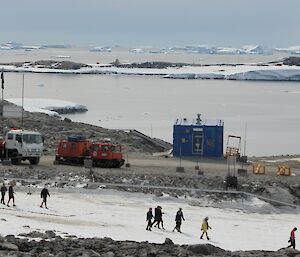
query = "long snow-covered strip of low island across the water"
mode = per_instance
[{"x": 231, "y": 72}]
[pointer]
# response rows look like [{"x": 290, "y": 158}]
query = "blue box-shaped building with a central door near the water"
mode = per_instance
[{"x": 198, "y": 138}]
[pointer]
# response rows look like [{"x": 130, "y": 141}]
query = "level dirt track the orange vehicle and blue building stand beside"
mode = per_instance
[{"x": 158, "y": 165}]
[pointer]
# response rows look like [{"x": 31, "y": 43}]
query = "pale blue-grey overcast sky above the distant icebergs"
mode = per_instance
[{"x": 151, "y": 22}]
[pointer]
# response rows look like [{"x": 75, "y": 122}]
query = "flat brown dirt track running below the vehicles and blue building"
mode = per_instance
[{"x": 148, "y": 165}]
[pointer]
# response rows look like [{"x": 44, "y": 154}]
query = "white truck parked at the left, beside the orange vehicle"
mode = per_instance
[{"x": 20, "y": 145}]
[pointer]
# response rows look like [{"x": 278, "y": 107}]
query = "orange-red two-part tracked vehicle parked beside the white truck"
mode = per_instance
[{"x": 75, "y": 149}]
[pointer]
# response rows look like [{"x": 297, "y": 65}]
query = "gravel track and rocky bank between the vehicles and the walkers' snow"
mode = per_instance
[{"x": 157, "y": 175}]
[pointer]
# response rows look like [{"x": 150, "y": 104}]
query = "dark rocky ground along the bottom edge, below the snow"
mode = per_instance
[{"x": 52, "y": 245}]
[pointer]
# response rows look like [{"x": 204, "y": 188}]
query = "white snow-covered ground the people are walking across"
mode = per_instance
[{"x": 121, "y": 216}]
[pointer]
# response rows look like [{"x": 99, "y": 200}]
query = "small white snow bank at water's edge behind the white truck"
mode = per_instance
[{"x": 49, "y": 106}]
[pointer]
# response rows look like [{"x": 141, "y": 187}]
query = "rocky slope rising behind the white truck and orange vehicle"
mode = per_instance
[{"x": 54, "y": 129}]
